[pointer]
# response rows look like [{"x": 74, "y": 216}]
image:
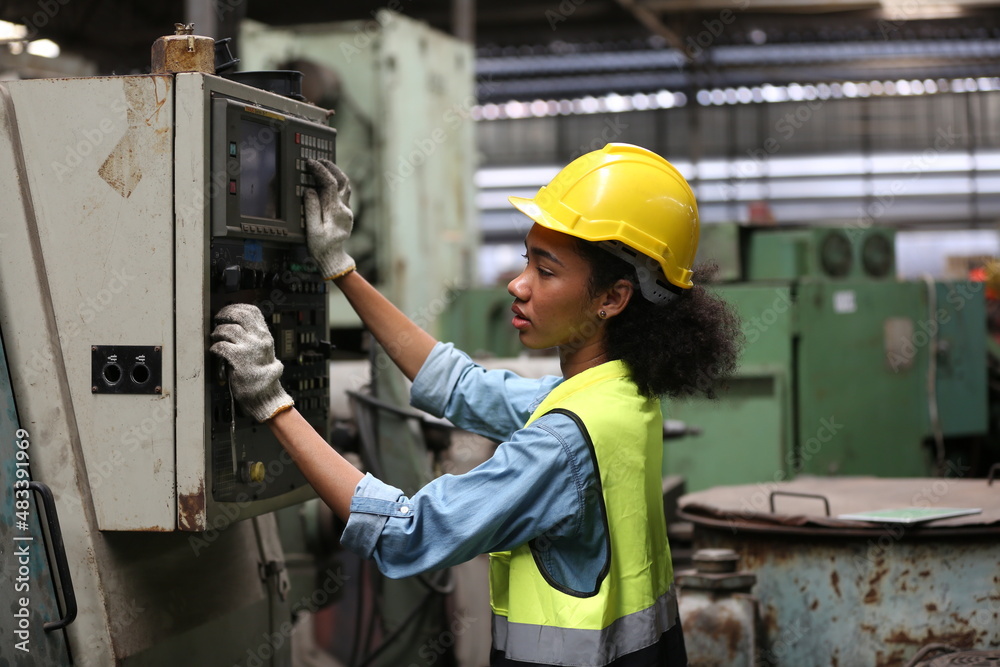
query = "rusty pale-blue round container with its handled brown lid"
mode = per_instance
[{"x": 844, "y": 592}]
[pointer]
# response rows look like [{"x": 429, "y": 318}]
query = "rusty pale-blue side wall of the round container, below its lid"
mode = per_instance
[{"x": 867, "y": 602}]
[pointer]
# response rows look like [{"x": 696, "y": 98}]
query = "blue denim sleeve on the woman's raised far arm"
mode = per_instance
[{"x": 491, "y": 403}]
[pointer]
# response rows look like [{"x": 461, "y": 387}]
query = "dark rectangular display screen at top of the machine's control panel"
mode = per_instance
[{"x": 258, "y": 169}]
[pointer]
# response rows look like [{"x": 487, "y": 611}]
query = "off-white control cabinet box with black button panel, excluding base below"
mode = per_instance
[{"x": 118, "y": 250}]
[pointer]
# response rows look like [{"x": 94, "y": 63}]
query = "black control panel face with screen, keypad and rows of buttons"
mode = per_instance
[{"x": 258, "y": 255}]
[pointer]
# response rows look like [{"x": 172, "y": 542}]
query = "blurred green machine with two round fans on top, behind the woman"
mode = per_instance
[{"x": 846, "y": 370}]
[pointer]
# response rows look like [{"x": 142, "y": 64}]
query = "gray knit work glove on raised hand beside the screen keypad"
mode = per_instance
[{"x": 329, "y": 218}]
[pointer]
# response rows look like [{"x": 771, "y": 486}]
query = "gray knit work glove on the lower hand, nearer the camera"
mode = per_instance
[{"x": 242, "y": 339}]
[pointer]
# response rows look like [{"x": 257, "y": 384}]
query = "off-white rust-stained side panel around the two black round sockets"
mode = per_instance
[{"x": 101, "y": 182}]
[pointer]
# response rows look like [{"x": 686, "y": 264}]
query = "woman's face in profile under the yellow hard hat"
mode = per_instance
[{"x": 553, "y": 306}]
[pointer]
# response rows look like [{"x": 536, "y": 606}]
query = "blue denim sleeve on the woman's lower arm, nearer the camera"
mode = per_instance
[{"x": 534, "y": 484}]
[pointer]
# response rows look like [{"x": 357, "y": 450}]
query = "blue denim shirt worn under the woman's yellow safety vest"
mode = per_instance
[{"x": 534, "y": 486}]
